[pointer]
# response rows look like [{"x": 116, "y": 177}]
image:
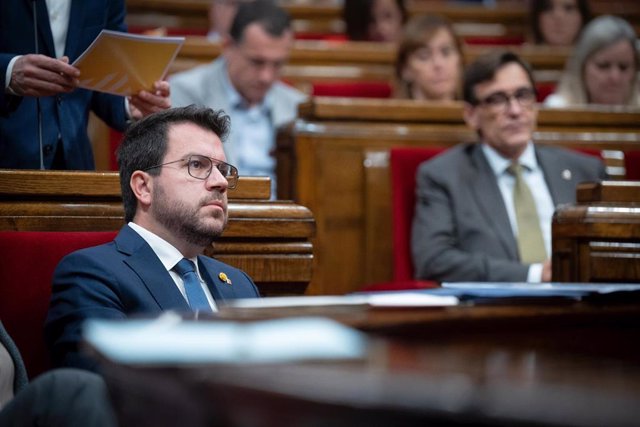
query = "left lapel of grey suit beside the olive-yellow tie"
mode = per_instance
[{"x": 487, "y": 195}]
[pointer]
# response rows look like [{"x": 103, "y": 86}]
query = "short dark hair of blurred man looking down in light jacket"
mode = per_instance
[{"x": 272, "y": 18}]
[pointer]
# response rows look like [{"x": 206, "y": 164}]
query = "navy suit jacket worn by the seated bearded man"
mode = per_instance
[{"x": 119, "y": 279}]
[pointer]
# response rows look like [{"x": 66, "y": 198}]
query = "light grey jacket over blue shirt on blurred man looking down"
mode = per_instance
[{"x": 204, "y": 85}]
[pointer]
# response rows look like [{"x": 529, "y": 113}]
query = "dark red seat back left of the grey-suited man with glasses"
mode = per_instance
[{"x": 404, "y": 162}]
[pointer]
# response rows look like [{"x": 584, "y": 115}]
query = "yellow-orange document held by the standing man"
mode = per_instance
[{"x": 124, "y": 64}]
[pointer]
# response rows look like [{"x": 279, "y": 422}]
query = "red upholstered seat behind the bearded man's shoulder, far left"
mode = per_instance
[{"x": 27, "y": 262}]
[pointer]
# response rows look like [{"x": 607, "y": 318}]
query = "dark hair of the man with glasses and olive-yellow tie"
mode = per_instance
[{"x": 484, "y": 69}]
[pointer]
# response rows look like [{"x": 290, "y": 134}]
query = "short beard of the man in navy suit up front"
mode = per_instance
[{"x": 183, "y": 221}]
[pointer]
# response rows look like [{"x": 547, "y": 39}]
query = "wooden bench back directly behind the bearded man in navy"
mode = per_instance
[{"x": 270, "y": 240}]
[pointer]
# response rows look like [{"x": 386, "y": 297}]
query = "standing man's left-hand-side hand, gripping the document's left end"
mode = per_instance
[{"x": 40, "y": 75}]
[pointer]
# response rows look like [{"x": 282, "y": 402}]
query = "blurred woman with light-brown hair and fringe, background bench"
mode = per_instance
[{"x": 429, "y": 60}]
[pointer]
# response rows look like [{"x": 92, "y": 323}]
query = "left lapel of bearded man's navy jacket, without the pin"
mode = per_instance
[{"x": 145, "y": 263}]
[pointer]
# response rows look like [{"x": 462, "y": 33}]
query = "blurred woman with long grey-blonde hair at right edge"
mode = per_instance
[{"x": 603, "y": 68}]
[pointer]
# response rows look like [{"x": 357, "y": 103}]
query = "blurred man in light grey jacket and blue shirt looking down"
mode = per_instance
[{"x": 244, "y": 83}]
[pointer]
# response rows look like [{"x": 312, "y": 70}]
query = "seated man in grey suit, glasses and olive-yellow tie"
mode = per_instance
[{"x": 466, "y": 223}]
